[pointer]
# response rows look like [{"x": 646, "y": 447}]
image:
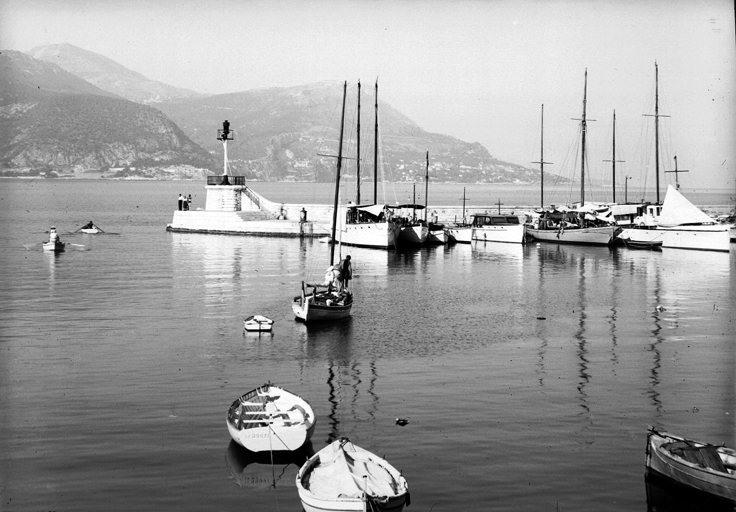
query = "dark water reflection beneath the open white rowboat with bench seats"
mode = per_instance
[{"x": 266, "y": 469}]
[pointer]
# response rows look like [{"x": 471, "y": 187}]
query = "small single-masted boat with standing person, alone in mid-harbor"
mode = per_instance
[{"x": 322, "y": 302}]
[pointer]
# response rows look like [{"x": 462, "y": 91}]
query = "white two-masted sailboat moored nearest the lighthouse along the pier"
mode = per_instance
[{"x": 369, "y": 225}]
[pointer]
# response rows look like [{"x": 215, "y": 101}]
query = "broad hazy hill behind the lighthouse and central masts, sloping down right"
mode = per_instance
[{"x": 280, "y": 133}]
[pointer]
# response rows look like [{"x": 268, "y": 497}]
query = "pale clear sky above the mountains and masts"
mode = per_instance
[{"x": 479, "y": 71}]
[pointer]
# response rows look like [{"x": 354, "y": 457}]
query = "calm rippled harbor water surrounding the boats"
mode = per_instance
[{"x": 528, "y": 374}]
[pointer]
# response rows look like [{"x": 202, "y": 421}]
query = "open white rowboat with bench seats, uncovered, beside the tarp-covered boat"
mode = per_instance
[{"x": 269, "y": 418}]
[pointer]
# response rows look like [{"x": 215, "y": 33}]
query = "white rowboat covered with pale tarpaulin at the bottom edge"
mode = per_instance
[{"x": 343, "y": 477}]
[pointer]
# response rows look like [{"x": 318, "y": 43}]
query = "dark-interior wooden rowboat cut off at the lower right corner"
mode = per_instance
[{"x": 700, "y": 466}]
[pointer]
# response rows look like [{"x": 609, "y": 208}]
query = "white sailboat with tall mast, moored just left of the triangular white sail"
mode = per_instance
[{"x": 580, "y": 224}]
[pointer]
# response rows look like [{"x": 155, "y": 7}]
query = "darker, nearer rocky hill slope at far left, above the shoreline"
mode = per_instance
[{"x": 55, "y": 124}]
